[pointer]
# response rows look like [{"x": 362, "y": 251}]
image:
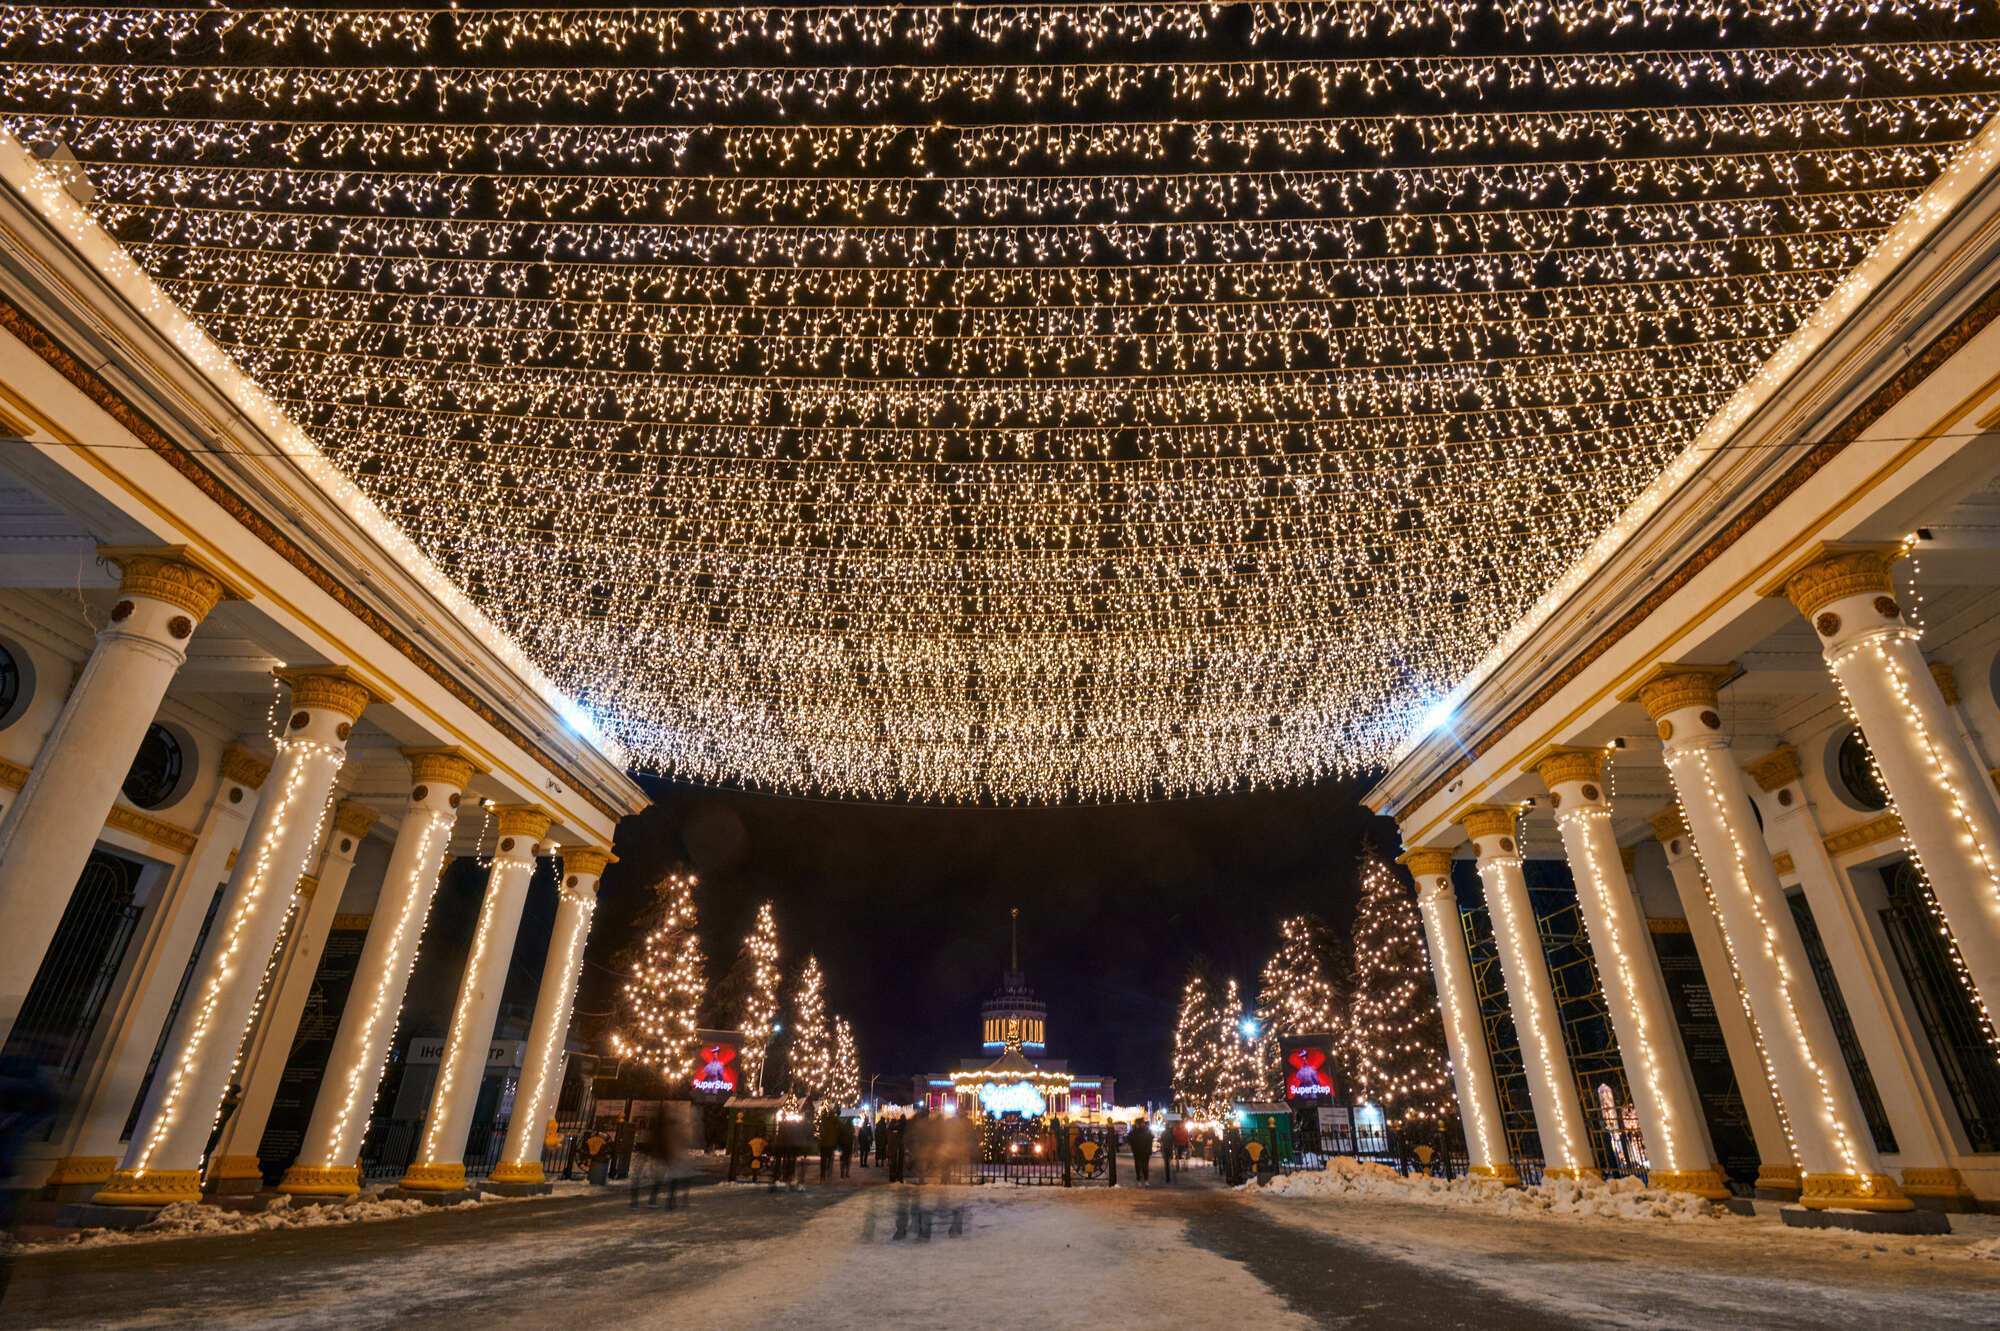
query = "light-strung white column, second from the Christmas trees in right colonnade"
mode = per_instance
[{"x": 1559, "y": 1118}]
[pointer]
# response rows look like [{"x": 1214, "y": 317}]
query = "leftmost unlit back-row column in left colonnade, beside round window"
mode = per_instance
[{"x": 113, "y": 1082}]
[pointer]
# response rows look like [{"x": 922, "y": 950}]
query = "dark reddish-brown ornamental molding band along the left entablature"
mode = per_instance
[{"x": 17, "y": 323}]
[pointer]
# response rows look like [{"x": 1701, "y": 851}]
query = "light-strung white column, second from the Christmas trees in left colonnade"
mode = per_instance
[{"x": 441, "y": 1158}]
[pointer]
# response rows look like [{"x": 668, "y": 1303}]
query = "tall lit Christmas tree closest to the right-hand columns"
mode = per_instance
[{"x": 1397, "y": 1030}]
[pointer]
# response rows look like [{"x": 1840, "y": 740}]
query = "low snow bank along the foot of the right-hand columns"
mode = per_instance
[{"x": 1607, "y": 1200}]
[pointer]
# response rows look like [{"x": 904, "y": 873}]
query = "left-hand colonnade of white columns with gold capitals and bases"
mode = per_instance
[{"x": 255, "y": 968}]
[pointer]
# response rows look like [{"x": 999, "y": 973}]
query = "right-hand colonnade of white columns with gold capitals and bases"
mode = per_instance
[{"x": 1799, "y": 1094}]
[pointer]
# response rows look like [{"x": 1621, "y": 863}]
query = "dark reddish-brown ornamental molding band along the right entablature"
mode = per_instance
[{"x": 1837, "y": 441}]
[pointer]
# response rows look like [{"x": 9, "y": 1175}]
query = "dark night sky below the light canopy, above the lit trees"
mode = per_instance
[{"x": 907, "y": 910}]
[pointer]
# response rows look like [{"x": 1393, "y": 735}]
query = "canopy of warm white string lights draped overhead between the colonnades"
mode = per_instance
[{"x": 989, "y": 403}]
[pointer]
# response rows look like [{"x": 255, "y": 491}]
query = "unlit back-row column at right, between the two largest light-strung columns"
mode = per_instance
[{"x": 1863, "y": 978}]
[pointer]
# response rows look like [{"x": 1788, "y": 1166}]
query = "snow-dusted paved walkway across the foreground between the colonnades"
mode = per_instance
[{"x": 973, "y": 1258}]
